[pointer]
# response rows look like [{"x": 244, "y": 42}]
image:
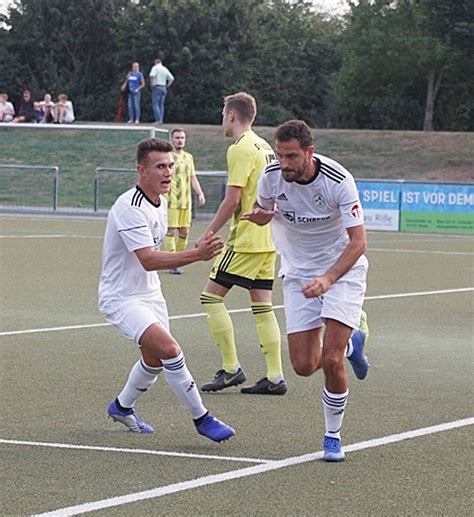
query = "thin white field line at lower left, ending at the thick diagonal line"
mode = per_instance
[{"x": 132, "y": 451}]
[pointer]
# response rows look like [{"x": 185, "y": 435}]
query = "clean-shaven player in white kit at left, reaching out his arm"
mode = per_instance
[{"x": 130, "y": 294}]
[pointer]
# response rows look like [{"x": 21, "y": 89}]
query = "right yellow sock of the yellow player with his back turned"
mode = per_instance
[{"x": 268, "y": 333}]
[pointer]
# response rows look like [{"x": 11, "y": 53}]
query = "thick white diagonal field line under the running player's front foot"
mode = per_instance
[{"x": 248, "y": 471}]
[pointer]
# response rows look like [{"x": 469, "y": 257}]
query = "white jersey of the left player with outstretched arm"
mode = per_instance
[{"x": 134, "y": 222}]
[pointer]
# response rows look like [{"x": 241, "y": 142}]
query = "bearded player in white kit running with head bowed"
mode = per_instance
[{"x": 318, "y": 229}]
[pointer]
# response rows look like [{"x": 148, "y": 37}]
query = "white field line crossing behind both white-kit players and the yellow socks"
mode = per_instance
[{"x": 232, "y": 311}]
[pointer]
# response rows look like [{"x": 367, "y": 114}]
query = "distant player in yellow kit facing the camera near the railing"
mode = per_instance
[{"x": 179, "y": 197}]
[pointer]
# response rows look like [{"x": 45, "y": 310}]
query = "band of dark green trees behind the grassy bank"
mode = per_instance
[{"x": 402, "y": 64}]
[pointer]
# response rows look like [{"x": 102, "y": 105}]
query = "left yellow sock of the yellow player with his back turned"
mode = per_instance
[{"x": 221, "y": 328}]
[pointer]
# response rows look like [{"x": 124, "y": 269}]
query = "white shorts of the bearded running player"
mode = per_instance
[{"x": 342, "y": 302}]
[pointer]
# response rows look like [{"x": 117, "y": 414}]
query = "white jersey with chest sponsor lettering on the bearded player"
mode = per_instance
[{"x": 309, "y": 227}]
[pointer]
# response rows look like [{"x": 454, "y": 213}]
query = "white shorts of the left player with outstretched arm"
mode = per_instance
[{"x": 133, "y": 317}]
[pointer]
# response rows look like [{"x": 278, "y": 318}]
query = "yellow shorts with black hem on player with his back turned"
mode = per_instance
[{"x": 247, "y": 270}]
